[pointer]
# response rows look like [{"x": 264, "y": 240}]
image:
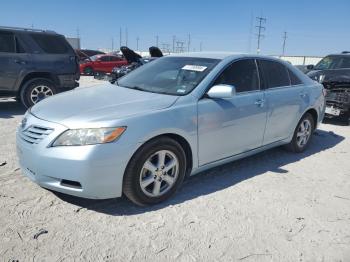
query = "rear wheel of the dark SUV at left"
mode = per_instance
[{"x": 36, "y": 90}]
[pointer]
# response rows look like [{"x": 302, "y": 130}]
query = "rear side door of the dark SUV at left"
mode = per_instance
[{"x": 13, "y": 60}]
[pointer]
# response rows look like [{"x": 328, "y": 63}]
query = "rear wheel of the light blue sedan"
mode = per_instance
[{"x": 304, "y": 130}]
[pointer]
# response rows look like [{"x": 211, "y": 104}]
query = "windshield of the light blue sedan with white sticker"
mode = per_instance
[{"x": 169, "y": 75}]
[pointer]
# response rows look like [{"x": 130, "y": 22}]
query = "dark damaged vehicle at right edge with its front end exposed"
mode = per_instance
[{"x": 333, "y": 71}]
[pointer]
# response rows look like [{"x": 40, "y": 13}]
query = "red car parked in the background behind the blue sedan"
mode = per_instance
[{"x": 101, "y": 63}]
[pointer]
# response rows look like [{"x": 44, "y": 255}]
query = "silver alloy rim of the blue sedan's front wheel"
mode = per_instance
[{"x": 159, "y": 173}]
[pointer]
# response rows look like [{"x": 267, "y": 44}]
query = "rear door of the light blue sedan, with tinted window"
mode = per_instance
[{"x": 285, "y": 97}]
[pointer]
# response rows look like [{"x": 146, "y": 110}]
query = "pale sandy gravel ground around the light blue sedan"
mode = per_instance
[{"x": 274, "y": 206}]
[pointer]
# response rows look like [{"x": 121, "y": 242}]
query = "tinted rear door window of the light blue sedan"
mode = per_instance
[{"x": 275, "y": 74}]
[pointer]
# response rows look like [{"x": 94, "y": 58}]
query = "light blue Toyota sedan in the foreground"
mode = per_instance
[{"x": 168, "y": 119}]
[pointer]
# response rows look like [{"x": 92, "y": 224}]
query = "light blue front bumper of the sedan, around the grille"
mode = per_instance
[{"x": 94, "y": 171}]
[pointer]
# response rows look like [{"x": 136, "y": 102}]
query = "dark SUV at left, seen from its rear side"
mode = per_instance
[{"x": 35, "y": 64}]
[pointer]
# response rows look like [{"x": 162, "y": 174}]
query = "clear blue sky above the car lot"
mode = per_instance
[{"x": 314, "y": 28}]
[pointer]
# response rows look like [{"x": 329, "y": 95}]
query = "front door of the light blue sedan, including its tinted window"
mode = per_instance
[{"x": 227, "y": 127}]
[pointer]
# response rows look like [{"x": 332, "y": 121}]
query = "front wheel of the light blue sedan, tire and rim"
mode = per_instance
[{"x": 141, "y": 170}]
